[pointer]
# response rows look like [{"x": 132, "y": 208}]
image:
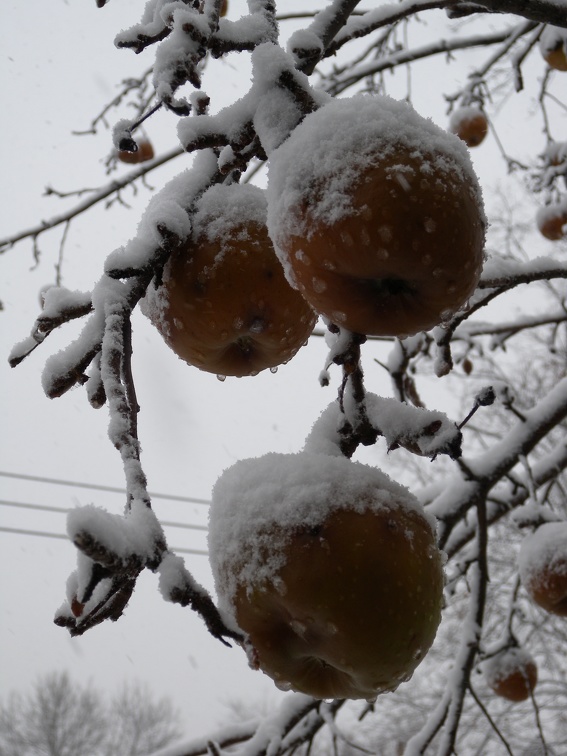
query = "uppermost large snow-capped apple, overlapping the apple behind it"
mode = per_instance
[{"x": 377, "y": 216}]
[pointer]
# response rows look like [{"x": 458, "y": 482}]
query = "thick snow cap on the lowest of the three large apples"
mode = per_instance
[{"x": 257, "y": 496}]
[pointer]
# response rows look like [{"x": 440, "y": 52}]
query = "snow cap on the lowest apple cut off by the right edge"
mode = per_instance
[{"x": 544, "y": 549}]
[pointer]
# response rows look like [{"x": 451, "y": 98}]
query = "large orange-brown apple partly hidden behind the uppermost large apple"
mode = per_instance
[{"x": 225, "y": 305}]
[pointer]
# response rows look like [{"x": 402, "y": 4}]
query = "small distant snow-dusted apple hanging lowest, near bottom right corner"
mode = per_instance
[{"x": 511, "y": 673}]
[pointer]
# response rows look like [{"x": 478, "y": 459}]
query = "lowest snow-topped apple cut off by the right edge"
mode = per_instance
[{"x": 543, "y": 567}]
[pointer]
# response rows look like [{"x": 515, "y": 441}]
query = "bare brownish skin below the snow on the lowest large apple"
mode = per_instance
[{"x": 354, "y": 609}]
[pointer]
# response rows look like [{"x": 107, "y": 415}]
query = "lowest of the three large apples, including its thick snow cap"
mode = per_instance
[{"x": 331, "y": 570}]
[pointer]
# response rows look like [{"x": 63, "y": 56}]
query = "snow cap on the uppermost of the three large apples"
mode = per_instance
[{"x": 333, "y": 145}]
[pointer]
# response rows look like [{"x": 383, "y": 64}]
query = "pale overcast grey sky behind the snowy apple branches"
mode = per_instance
[{"x": 59, "y": 68}]
